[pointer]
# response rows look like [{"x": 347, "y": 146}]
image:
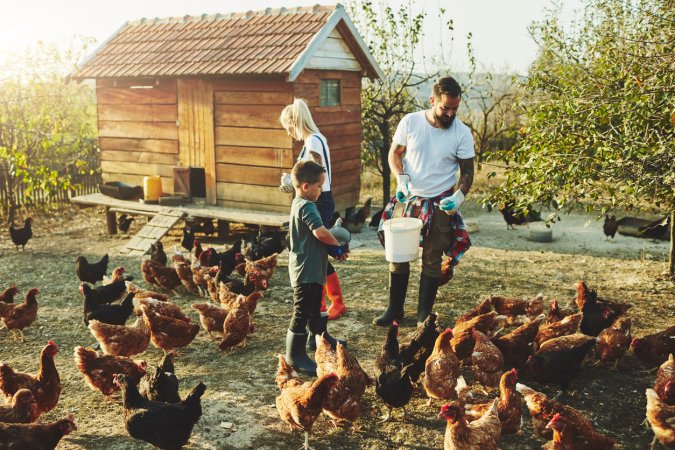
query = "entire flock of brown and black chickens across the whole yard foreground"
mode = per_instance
[{"x": 501, "y": 339}]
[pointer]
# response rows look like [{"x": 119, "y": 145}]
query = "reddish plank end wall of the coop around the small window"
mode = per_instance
[{"x": 342, "y": 127}]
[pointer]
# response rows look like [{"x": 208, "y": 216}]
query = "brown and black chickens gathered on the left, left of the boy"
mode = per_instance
[{"x": 153, "y": 409}]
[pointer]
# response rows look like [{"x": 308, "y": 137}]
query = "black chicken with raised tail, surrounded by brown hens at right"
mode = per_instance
[{"x": 558, "y": 367}]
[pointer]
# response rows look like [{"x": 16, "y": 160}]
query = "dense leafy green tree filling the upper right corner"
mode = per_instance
[{"x": 600, "y": 111}]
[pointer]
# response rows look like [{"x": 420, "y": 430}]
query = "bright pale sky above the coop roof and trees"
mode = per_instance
[{"x": 499, "y": 27}]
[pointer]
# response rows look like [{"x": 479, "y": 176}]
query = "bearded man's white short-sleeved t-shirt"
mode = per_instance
[{"x": 431, "y": 153}]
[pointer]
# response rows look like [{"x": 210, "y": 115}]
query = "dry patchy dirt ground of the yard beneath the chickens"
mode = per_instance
[{"x": 238, "y": 405}]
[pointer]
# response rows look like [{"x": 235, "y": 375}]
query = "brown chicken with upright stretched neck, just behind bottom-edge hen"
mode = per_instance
[{"x": 509, "y": 407}]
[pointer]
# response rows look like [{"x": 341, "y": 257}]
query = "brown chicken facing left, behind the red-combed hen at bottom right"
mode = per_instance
[{"x": 542, "y": 409}]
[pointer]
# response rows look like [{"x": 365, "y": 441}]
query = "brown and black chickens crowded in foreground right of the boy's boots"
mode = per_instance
[{"x": 547, "y": 348}]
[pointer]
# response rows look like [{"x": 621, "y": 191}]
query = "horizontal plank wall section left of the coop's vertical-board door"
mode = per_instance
[{"x": 138, "y": 132}]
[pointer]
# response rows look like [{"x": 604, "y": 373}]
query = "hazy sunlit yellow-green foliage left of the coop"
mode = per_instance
[{"x": 47, "y": 126}]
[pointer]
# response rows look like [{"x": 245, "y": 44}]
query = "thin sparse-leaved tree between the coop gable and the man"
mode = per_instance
[{"x": 394, "y": 39}]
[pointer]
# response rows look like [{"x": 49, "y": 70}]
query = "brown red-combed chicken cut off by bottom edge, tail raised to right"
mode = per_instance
[{"x": 481, "y": 434}]
